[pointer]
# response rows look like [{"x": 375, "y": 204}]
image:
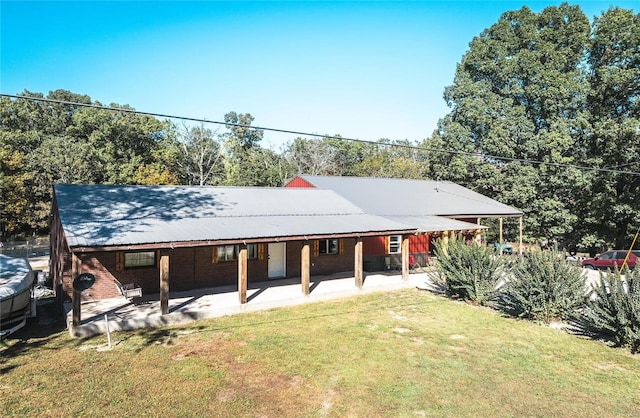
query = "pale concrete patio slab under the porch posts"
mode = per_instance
[{"x": 184, "y": 307}]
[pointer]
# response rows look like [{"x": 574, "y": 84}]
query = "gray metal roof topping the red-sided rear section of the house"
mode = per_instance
[{"x": 405, "y": 197}]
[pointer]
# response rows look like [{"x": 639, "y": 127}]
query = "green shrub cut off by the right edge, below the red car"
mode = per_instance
[{"x": 615, "y": 310}]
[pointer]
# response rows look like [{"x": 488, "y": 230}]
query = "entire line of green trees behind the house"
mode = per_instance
[{"x": 535, "y": 97}]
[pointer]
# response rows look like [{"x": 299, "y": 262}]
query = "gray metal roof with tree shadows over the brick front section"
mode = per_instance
[{"x": 102, "y": 215}]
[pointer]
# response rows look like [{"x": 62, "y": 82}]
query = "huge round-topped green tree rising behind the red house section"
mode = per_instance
[{"x": 519, "y": 93}]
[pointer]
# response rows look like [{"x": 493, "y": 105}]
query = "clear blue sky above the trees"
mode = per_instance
[{"x": 365, "y": 70}]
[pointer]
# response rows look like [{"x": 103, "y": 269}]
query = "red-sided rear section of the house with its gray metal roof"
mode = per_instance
[{"x": 437, "y": 209}]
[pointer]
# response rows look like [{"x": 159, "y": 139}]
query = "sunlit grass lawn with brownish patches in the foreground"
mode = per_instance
[{"x": 405, "y": 353}]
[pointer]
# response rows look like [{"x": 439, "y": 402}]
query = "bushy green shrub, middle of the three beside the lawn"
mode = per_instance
[{"x": 544, "y": 287}]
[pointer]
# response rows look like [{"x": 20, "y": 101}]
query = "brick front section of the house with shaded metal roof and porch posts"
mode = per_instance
[{"x": 156, "y": 238}]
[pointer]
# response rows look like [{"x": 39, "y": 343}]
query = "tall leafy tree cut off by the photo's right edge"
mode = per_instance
[{"x": 610, "y": 207}]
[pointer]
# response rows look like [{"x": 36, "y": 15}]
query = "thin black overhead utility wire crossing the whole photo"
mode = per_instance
[{"x": 414, "y": 147}]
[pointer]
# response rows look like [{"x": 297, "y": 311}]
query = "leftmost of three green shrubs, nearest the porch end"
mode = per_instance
[{"x": 470, "y": 272}]
